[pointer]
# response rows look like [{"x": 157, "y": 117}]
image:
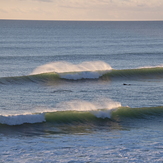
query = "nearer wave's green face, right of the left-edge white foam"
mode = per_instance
[{"x": 103, "y": 115}]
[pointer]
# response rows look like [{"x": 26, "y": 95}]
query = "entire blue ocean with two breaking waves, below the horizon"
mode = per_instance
[{"x": 81, "y": 91}]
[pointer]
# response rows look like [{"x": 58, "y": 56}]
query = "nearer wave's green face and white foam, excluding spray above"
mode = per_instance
[{"x": 73, "y": 117}]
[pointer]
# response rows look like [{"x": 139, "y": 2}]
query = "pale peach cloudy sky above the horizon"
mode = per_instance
[{"x": 95, "y": 10}]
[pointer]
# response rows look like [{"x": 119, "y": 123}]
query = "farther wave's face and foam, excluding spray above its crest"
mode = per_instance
[{"x": 139, "y": 73}]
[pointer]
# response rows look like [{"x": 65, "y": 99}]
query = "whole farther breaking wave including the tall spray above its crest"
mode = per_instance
[{"x": 52, "y": 72}]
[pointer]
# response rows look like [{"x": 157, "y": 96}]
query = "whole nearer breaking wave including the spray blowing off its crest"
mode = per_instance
[{"x": 84, "y": 112}]
